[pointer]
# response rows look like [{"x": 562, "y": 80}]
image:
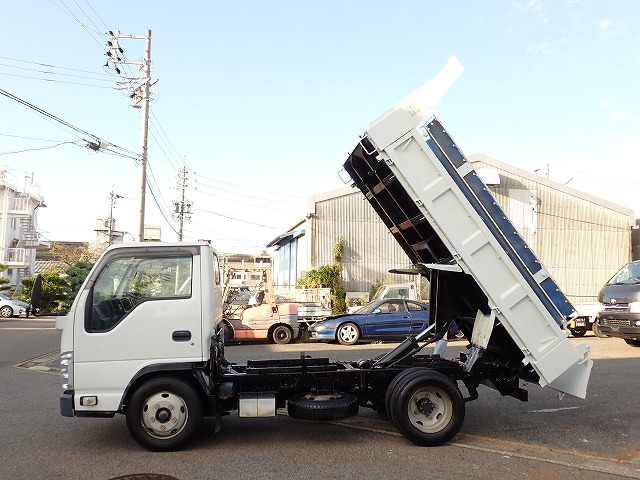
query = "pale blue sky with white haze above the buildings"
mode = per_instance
[{"x": 261, "y": 102}]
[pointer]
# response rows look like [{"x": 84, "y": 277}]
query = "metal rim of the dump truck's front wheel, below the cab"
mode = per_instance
[{"x": 164, "y": 415}]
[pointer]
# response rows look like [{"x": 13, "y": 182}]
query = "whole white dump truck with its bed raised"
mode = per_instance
[{"x": 143, "y": 336}]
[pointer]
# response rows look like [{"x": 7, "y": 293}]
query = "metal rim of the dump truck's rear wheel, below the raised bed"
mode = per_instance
[{"x": 430, "y": 409}]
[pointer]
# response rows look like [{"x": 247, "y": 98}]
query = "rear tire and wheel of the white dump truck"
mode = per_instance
[{"x": 427, "y": 408}]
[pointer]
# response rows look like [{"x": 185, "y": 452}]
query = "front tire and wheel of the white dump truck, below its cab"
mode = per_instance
[{"x": 159, "y": 403}]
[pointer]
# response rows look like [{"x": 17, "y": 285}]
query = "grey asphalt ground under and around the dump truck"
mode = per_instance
[{"x": 502, "y": 438}]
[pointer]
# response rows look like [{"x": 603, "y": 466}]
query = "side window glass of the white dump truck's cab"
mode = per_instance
[{"x": 129, "y": 280}]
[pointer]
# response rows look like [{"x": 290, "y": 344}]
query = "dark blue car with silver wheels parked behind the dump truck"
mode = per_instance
[{"x": 387, "y": 319}]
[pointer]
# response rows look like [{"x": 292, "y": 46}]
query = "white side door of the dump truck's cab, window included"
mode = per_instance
[{"x": 142, "y": 308}]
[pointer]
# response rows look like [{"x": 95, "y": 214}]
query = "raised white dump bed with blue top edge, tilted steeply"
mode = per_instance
[{"x": 452, "y": 229}]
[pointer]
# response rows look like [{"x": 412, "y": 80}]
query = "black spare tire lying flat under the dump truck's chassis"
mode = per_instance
[{"x": 317, "y": 407}]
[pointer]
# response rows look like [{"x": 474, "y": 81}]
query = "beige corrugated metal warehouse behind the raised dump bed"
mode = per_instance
[{"x": 580, "y": 238}]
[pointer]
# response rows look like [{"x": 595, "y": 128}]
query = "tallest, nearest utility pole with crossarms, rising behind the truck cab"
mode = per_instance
[{"x": 140, "y": 96}]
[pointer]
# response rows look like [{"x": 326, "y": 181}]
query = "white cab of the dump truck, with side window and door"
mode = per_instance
[{"x": 142, "y": 309}]
